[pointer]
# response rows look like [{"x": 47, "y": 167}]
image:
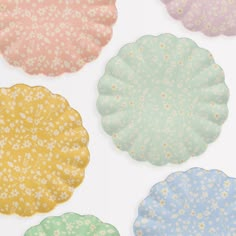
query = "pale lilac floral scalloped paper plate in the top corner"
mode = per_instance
[{"x": 208, "y": 16}]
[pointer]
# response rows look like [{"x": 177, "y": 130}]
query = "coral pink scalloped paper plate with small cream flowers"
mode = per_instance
[{"x": 52, "y": 37}]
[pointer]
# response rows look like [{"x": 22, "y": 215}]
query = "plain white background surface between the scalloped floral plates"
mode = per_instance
[{"x": 115, "y": 184}]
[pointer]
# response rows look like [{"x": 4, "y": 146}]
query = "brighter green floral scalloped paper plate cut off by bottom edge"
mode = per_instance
[{"x": 72, "y": 224}]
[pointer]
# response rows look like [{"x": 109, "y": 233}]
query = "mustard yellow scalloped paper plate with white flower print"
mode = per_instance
[{"x": 43, "y": 150}]
